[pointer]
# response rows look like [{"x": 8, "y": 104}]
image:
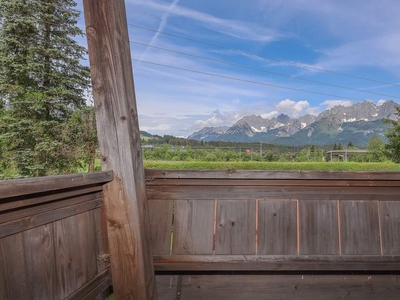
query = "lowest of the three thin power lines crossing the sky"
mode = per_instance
[{"x": 245, "y": 80}]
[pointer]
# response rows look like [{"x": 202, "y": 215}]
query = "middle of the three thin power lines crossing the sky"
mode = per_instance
[{"x": 261, "y": 70}]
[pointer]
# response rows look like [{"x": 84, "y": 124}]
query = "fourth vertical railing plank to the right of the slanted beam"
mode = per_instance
[{"x": 277, "y": 227}]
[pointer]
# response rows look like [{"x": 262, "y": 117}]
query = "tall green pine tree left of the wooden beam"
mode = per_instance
[{"x": 42, "y": 83}]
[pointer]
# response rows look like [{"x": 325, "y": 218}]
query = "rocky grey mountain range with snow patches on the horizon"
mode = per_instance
[{"x": 340, "y": 124}]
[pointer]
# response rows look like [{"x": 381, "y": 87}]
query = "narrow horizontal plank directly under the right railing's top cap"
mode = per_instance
[{"x": 273, "y": 182}]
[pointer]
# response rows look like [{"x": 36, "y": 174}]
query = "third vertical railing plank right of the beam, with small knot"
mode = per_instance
[{"x": 235, "y": 232}]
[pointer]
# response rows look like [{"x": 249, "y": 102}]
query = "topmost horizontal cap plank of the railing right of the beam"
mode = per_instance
[{"x": 152, "y": 174}]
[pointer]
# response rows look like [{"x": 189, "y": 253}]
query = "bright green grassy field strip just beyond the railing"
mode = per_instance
[{"x": 273, "y": 166}]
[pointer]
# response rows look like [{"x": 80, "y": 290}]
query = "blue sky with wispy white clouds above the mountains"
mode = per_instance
[{"x": 360, "y": 38}]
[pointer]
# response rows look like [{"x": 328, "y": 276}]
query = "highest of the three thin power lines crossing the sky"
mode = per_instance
[{"x": 264, "y": 57}]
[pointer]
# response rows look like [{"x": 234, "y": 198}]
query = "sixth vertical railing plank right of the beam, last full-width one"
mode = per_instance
[{"x": 360, "y": 232}]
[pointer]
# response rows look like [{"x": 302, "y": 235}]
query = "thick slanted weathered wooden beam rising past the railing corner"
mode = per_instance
[{"x": 119, "y": 138}]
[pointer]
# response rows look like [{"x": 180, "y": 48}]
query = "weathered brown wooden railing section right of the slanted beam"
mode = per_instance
[{"x": 313, "y": 231}]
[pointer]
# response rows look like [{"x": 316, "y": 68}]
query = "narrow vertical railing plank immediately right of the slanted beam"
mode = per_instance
[{"x": 161, "y": 225}]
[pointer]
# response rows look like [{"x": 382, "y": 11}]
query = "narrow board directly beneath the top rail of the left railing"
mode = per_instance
[{"x": 23, "y": 201}]
